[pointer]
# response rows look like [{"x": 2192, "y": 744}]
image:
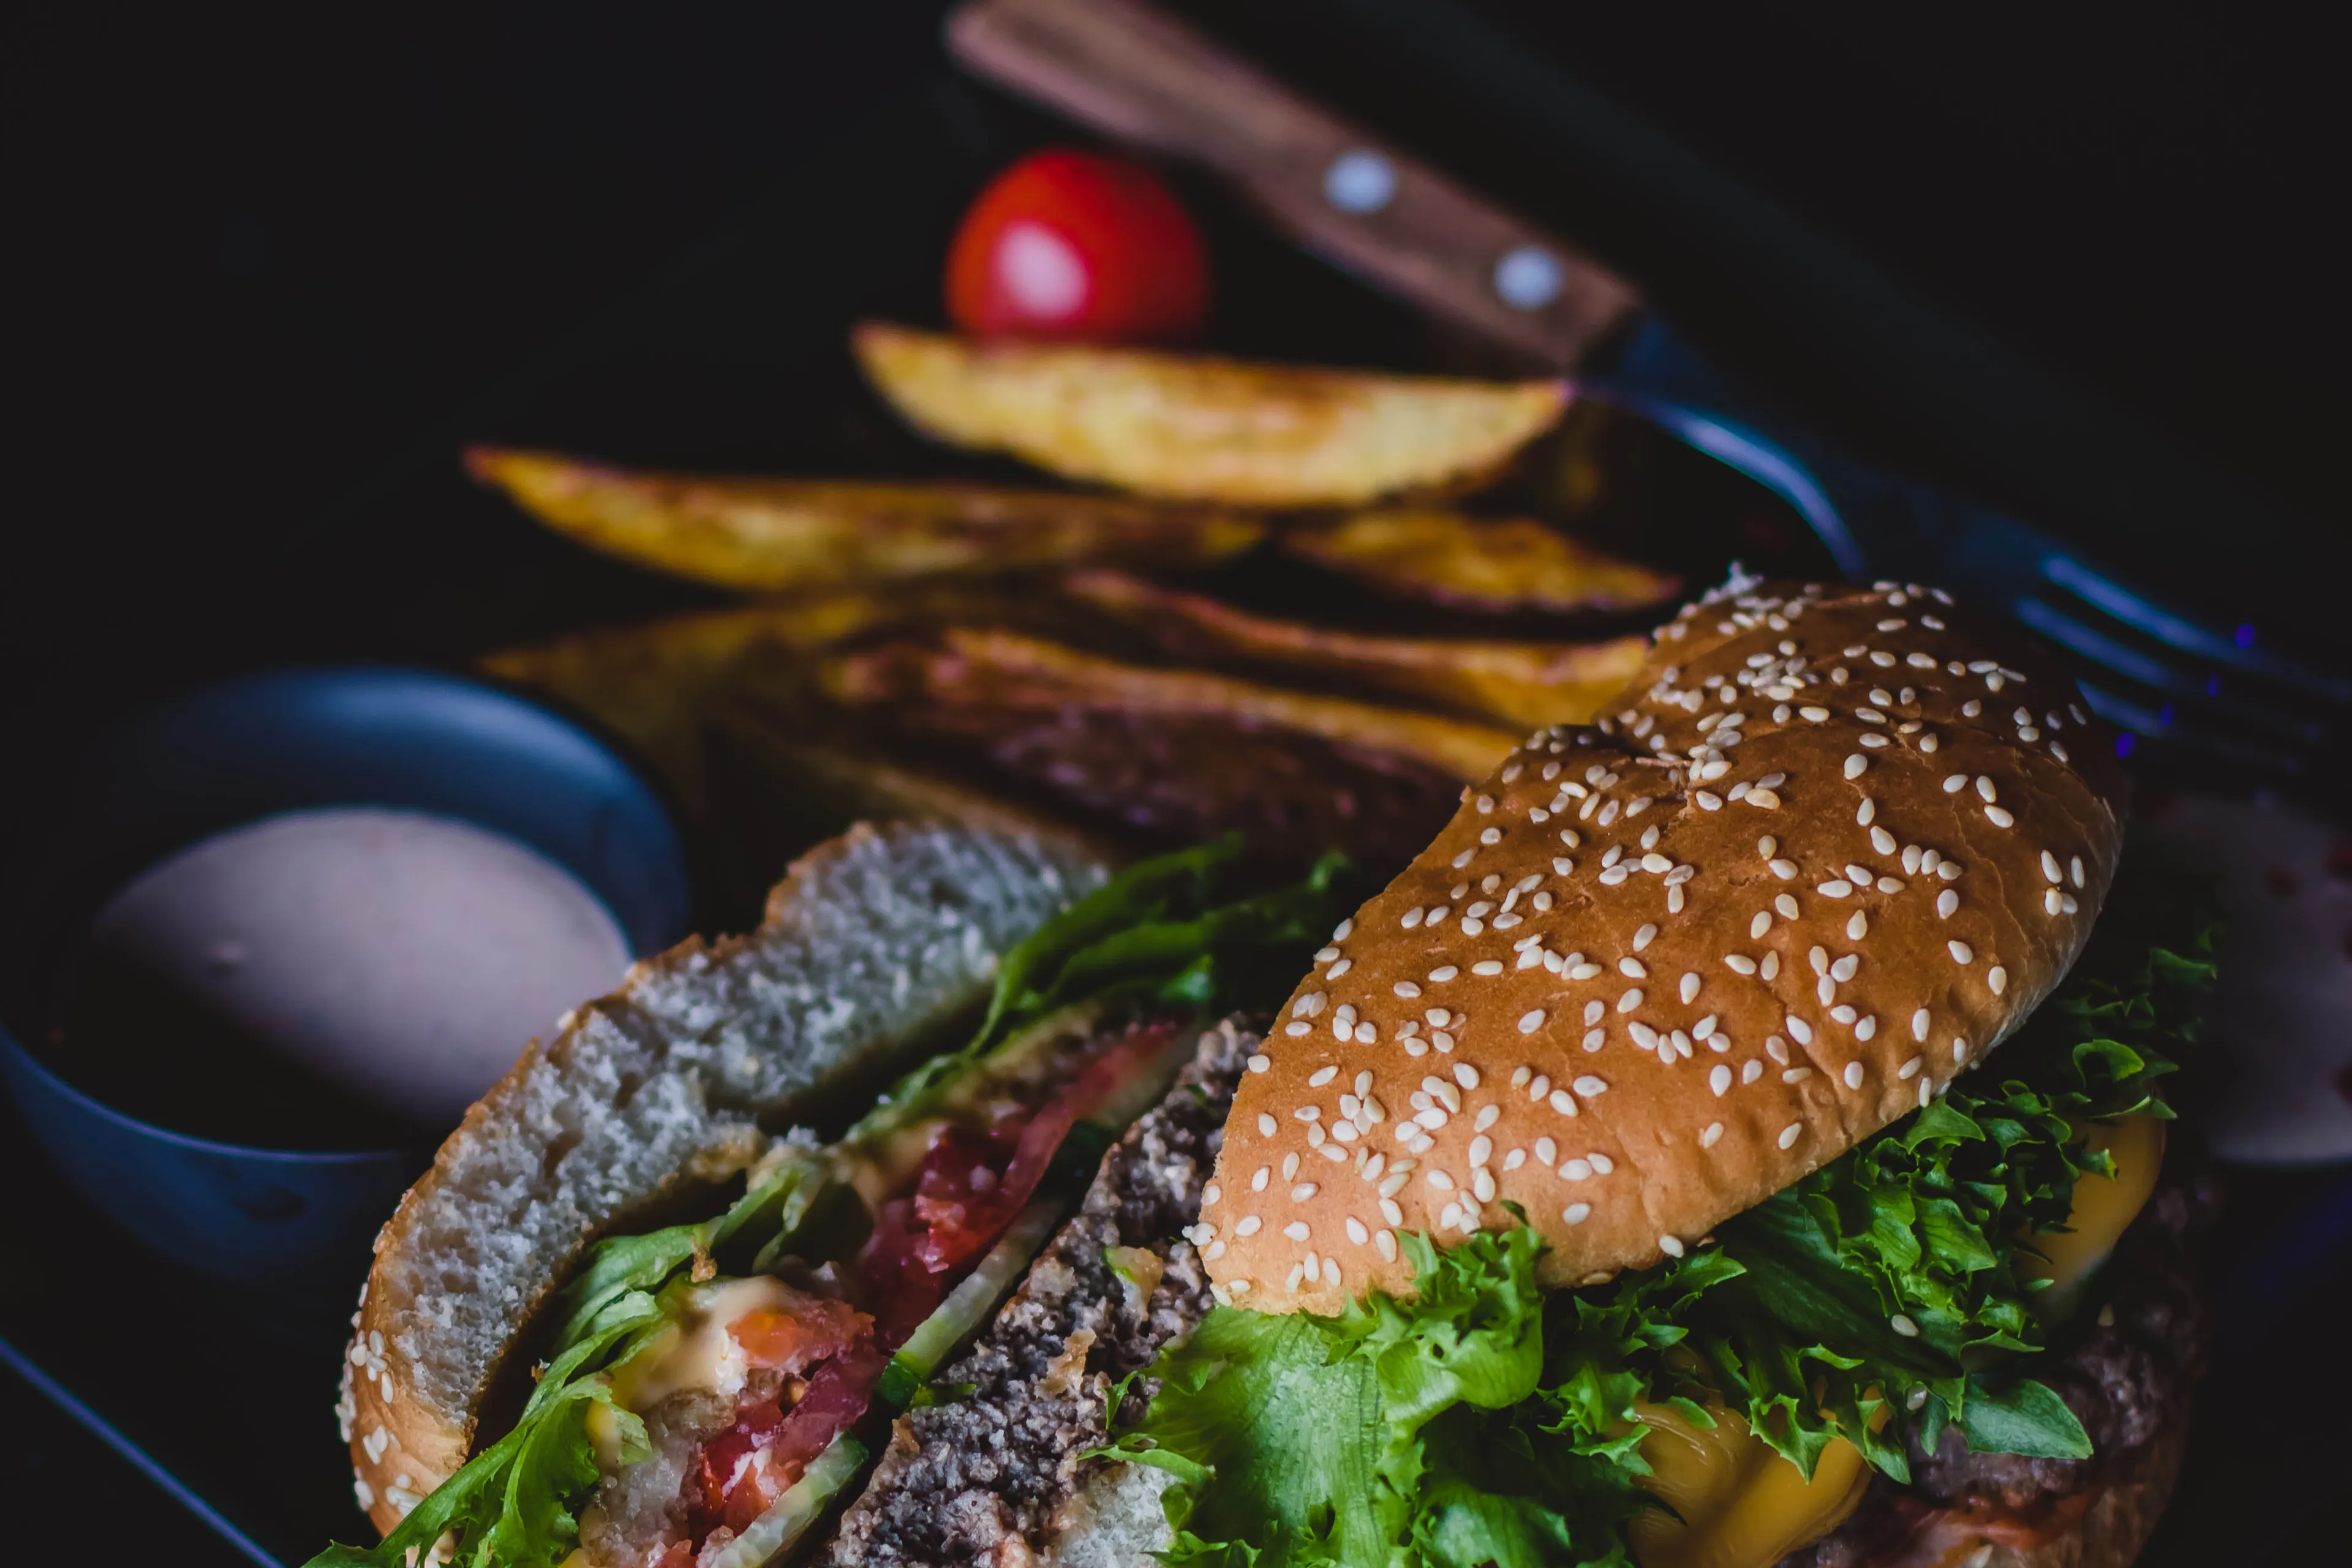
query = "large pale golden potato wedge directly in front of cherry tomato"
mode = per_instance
[{"x": 1201, "y": 429}]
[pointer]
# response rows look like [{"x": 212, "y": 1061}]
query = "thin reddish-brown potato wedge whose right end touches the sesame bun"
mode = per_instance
[{"x": 1518, "y": 683}]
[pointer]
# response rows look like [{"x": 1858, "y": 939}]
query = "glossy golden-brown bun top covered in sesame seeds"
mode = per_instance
[{"x": 1652, "y": 974}]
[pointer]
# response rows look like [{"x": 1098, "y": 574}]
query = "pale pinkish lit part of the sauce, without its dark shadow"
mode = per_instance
[{"x": 401, "y": 956}]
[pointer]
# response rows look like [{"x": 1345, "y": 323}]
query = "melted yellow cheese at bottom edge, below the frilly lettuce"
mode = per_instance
[{"x": 1742, "y": 1503}]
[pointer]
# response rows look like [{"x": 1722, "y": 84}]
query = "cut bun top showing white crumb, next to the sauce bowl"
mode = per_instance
[{"x": 869, "y": 944}]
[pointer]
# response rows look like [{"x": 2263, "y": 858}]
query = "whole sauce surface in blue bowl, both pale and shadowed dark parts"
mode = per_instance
[{"x": 330, "y": 977}]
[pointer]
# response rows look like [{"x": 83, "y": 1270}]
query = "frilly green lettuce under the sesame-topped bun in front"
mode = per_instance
[{"x": 1887, "y": 1294}]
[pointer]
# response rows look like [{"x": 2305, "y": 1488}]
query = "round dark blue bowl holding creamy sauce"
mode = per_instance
[{"x": 281, "y": 932}]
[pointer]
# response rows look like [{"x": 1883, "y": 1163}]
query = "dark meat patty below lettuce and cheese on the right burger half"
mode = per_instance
[{"x": 2127, "y": 1381}]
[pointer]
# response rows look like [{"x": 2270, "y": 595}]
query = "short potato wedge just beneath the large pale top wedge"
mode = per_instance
[{"x": 1476, "y": 563}]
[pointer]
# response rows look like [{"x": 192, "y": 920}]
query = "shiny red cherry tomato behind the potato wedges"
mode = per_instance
[{"x": 1076, "y": 246}]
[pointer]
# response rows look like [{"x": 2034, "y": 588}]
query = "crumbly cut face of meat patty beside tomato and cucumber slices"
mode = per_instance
[{"x": 982, "y": 1480}]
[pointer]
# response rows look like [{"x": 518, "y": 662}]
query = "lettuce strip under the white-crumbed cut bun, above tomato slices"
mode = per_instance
[{"x": 1161, "y": 934}]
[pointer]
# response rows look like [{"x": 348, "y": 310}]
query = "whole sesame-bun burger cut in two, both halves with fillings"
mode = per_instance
[{"x": 1725, "y": 1144}]
